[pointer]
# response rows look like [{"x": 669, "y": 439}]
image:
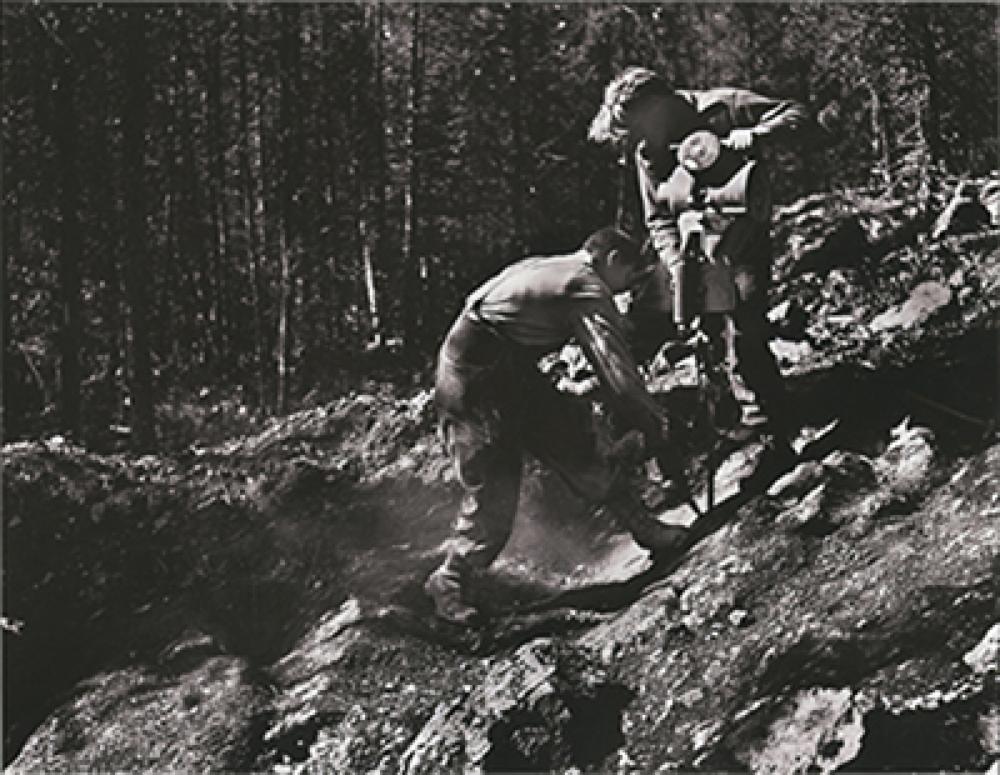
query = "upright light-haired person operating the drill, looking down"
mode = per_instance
[{"x": 646, "y": 118}]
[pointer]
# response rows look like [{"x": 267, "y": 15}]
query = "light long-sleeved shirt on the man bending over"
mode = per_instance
[{"x": 536, "y": 306}]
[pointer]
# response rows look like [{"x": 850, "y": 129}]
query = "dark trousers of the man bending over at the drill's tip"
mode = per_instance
[{"x": 489, "y": 417}]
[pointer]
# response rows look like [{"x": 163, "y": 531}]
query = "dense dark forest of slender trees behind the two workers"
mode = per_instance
[{"x": 236, "y": 209}]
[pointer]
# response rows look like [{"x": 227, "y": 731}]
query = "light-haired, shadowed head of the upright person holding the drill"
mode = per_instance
[{"x": 640, "y": 106}]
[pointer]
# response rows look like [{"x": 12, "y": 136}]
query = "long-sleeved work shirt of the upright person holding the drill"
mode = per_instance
[{"x": 722, "y": 110}]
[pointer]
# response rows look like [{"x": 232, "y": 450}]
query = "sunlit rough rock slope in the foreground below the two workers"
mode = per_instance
[{"x": 768, "y": 648}]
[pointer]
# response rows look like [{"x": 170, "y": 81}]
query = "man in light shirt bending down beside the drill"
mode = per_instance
[{"x": 494, "y": 403}]
